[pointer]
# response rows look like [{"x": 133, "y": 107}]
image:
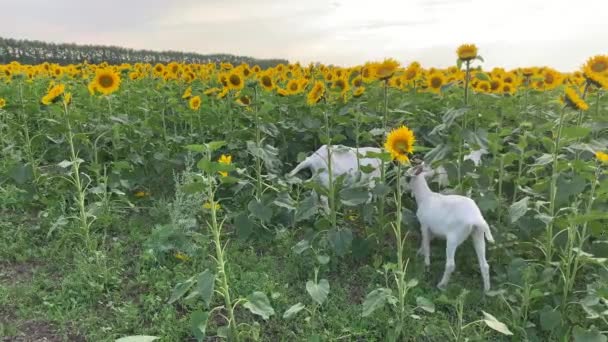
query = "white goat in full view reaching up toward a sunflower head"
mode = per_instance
[{"x": 450, "y": 217}]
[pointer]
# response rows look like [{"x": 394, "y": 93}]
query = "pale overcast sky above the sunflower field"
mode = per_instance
[{"x": 509, "y": 33}]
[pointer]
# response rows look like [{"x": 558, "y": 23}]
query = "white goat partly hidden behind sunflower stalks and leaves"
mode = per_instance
[{"x": 343, "y": 161}]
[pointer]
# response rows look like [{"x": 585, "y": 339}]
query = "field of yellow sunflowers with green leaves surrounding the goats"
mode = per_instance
[{"x": 145, "y": 202}]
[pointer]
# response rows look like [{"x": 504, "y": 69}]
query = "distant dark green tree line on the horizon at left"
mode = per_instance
[{"x": 35, "y": 52}]
